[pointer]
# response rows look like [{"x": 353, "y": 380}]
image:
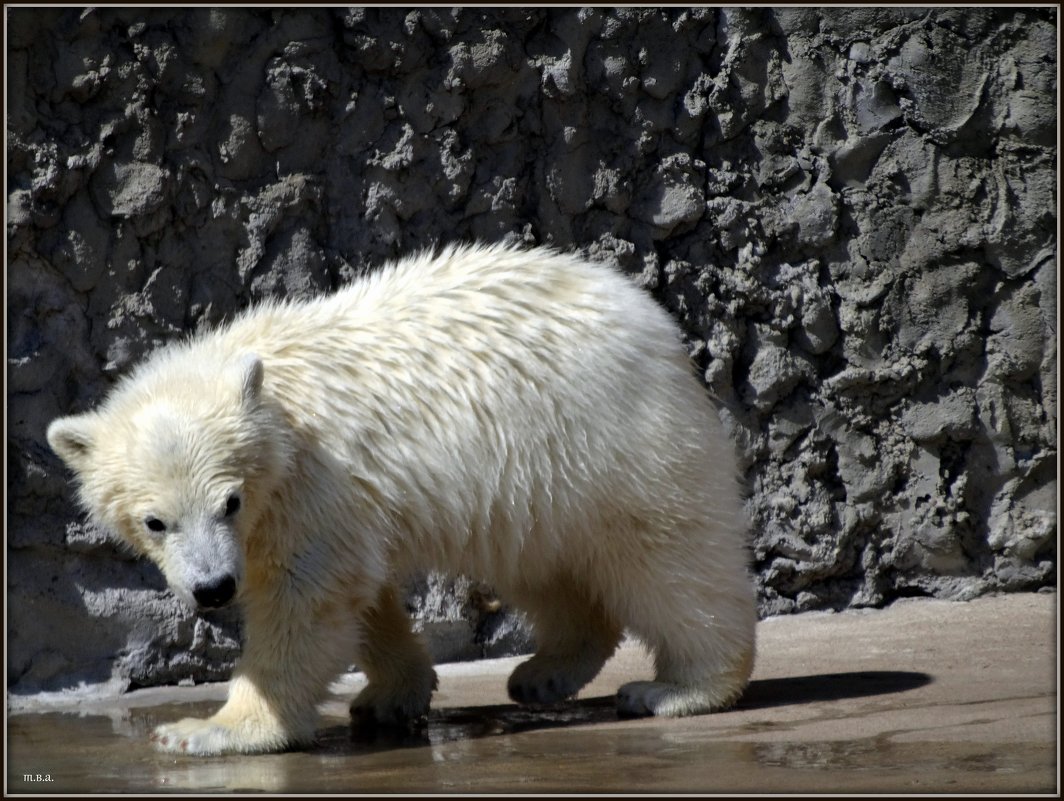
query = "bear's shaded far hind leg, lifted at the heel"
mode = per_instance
[{"x": 574, "y": 638}]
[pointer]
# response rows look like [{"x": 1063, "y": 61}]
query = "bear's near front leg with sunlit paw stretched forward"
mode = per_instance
[{"x": 292, "y": 652}]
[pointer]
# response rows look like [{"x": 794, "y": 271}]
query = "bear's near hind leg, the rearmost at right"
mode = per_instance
[{"x": 703, "y": 640}]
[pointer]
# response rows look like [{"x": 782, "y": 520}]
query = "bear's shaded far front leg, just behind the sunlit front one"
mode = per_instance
[{"x": 396, "y": 663}]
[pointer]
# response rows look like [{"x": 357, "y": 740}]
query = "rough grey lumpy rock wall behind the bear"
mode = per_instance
[{"x": 852, "y": 212}]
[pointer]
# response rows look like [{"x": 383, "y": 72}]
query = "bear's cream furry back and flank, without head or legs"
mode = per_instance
[{"x": 486, "y": 398}]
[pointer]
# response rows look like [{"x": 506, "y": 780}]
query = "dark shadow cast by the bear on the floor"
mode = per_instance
[{"x": 473, "y": 723}]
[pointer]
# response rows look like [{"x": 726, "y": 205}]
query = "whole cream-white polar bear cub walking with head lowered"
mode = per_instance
[{"x": 520, "y": 416}]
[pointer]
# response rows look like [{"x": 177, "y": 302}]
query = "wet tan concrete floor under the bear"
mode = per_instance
[{"x": 923, "y": 697}]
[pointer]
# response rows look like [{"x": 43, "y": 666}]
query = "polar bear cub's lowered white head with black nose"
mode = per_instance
[{"x": 177, "y": 463}]
